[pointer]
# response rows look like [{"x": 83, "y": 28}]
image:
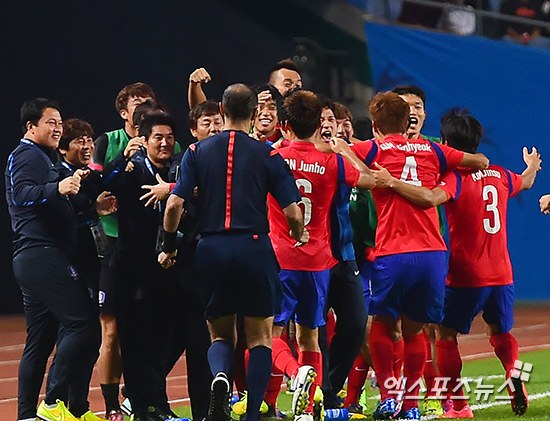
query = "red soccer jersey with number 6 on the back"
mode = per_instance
[{"x": 317, "y": 176}]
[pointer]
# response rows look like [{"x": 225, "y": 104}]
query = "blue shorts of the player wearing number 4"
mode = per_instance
[{"x": 409, "y": 283}]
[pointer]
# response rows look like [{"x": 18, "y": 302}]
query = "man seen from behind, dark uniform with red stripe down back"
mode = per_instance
[{"x": 235, "y": 260}]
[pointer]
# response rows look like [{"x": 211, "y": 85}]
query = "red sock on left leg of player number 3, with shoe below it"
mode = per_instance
[{"x": 450, "y": 366}]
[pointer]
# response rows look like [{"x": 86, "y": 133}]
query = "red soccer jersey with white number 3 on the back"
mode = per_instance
[{"x": 476, "y": 211}]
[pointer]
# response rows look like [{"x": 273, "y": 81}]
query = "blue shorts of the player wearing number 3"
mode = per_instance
[{"x": 462, "y": 305}]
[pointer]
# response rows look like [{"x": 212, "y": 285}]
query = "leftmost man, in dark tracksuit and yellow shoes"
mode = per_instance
[{"x": 45, "y": 242}]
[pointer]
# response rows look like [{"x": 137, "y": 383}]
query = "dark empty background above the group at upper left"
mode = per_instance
[{"x": 83, "y": 53}]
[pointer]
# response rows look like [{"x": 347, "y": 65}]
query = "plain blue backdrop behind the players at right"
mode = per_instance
[{"x": 507, "y": 88}]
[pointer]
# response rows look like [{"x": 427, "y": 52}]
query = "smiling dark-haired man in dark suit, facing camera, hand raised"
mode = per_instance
[{"x": 142, "y": 288}]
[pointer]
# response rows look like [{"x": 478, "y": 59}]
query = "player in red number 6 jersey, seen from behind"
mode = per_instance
[{"x": 305, "y": 270}]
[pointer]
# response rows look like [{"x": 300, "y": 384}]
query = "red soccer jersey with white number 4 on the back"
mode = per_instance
[{"x": 404, "y": 227}]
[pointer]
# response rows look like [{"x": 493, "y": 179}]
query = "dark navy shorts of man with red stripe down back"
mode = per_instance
[{"x": 239, "y": 274}]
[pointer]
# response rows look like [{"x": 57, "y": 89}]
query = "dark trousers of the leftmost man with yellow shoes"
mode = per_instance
[{"x": 56, "y": 302}]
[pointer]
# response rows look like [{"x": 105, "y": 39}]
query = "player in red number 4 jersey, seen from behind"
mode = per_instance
[{"x": 409, "y": 268}]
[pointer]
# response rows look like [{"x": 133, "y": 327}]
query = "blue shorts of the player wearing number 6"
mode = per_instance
[{"x": 305, "y": 296}]
